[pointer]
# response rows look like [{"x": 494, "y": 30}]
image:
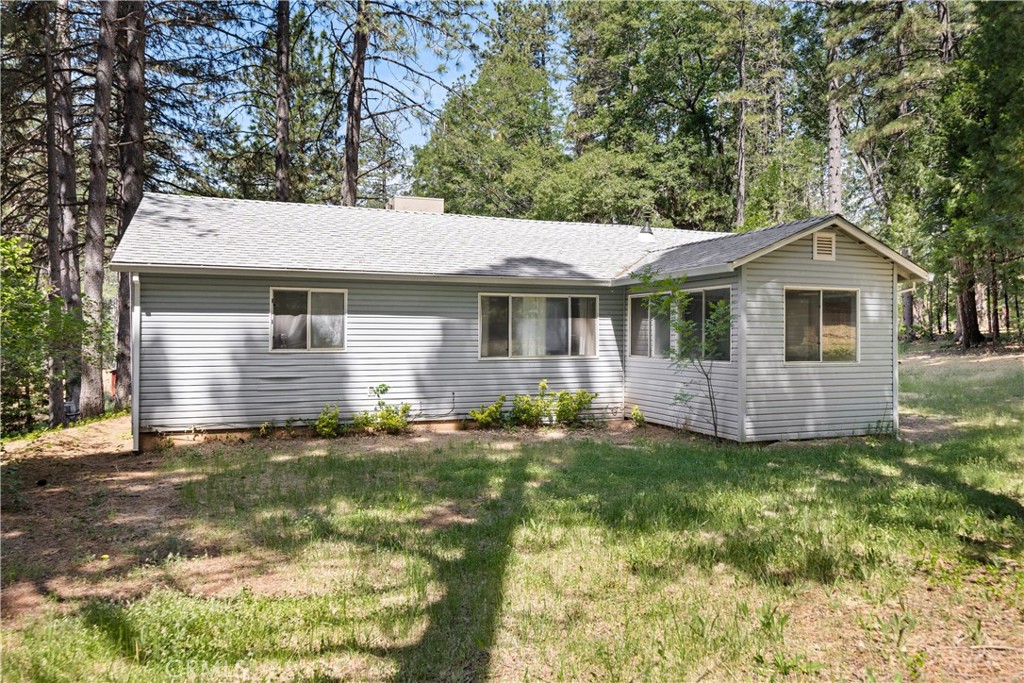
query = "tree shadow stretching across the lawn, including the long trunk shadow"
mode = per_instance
[{"x": 754, "y": 509}]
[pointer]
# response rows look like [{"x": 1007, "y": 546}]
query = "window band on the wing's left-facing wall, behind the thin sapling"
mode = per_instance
[{"x": 651, "y": 334}]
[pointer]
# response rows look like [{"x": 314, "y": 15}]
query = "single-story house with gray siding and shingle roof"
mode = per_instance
[{"x": 247, "y": 313}]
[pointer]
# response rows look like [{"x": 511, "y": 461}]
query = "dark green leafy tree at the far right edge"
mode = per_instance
[{"x": 976, "y": 210}]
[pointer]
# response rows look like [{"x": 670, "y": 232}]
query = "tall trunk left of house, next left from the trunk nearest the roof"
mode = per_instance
[{"x": 93, "y": 367}]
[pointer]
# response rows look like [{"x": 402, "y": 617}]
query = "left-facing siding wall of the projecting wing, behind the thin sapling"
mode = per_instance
[{"x": 654, "y": 383}]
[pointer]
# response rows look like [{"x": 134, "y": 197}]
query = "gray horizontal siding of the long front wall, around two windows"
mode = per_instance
[{"x": 205, "y": 362}]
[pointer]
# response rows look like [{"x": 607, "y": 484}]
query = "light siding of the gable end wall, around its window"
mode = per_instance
[{"x": 821, "y": 400}]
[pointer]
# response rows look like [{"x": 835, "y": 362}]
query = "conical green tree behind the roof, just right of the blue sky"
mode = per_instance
[{"x": 500, "y": 130}]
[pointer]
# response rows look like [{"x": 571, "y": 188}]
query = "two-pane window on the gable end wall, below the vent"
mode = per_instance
[{"x": 822, "y": 326}]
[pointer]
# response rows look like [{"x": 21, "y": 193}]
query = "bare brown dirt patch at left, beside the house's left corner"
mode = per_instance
[{"x": 84, "y": 516}]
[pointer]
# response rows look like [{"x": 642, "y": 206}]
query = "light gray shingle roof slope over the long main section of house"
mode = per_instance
[{"x": 194, "y": 232}]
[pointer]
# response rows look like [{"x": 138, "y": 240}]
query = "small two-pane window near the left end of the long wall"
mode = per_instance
[{"x": 308, "y": 320}]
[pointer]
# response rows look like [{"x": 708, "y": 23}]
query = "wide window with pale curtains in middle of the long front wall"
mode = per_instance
[{"x": 530, "y": 327}]
